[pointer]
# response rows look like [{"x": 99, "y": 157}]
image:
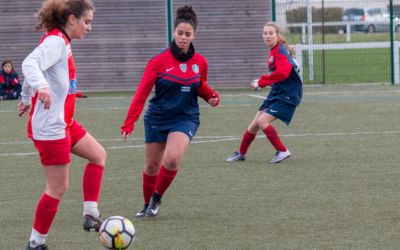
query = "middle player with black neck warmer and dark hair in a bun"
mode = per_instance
[{"x": 179, "y": 75}]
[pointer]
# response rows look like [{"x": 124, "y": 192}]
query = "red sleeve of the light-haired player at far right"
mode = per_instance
[{"x": 281, "y": 73}]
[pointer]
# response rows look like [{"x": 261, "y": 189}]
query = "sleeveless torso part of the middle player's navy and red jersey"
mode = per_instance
[{"x": 176, "y": 86}]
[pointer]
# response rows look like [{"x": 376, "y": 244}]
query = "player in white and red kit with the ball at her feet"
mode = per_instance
[{"x": 49, "y": 88}]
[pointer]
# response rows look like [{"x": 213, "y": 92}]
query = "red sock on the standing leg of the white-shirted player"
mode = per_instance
[{"x": 46, "y": 210}]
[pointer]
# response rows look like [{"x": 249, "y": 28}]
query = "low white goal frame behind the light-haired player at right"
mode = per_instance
[{"x": 299, "y": 48}]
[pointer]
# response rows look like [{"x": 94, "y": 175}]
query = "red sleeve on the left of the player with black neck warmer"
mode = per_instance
[{"x": 143, "y": 91}]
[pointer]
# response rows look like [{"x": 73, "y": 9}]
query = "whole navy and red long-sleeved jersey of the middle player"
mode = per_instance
[{"x": 177, "y": 87}]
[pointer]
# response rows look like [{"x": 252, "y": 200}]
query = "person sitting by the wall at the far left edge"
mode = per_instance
[{"x": 10, "y": 87}]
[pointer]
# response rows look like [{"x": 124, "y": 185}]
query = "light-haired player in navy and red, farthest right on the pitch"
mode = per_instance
[{"x": 285, "y": 95}]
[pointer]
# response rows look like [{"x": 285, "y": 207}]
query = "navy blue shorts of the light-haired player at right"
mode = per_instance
[{"x": 279, "y": 109}]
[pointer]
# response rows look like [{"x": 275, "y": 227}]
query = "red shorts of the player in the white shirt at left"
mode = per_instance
[{"x": 58, "y": 152}]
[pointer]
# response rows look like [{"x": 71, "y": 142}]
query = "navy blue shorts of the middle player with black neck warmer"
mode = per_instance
[{"x": 159, "y": 133}]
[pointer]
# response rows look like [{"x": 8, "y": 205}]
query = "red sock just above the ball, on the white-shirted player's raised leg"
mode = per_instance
[{"x": 91, "y": 182}]
